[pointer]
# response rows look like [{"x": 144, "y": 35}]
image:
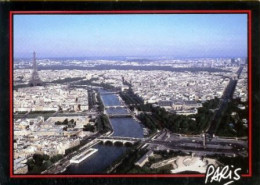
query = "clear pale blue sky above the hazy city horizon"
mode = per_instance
[{"x": 174, "y": 35}]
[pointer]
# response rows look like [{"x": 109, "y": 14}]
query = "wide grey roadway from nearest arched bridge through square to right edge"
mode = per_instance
[{"x": 191, "y": 143}]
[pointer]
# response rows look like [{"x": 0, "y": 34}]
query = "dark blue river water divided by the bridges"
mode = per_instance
[{"x": 106, "y": 155}]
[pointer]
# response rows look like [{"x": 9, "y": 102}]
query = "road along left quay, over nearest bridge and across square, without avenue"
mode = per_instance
[{"x": 174, "y": 142}]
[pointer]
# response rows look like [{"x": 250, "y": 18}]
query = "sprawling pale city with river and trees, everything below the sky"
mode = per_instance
[{"x": 166, "y": 116}]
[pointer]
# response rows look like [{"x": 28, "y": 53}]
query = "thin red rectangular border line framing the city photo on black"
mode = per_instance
[{"x": 11, "y": 13}]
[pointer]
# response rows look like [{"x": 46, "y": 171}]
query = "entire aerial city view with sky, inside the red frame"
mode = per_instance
[{"x": 153, "y": 108}]
